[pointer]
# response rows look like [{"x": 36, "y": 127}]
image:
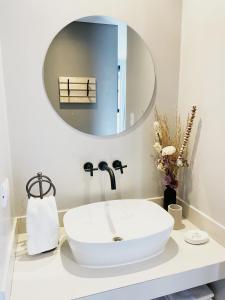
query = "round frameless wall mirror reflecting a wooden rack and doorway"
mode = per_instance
[{"x": 99, "y": 75}]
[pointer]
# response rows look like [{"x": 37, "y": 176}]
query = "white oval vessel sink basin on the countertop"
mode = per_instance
[{"x": 117, "y": 232}]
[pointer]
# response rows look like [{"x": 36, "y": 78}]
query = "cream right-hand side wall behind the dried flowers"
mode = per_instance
[{"x": 202, "y": 82}]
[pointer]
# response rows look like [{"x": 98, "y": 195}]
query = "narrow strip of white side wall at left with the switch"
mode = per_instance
[{"x": 5, "y": 172}]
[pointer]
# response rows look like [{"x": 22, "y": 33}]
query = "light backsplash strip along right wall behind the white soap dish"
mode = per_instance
[{"x": 203, "y": 221}]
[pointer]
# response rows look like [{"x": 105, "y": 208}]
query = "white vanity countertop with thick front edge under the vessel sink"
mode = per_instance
[{"x": 56, "y": 275}]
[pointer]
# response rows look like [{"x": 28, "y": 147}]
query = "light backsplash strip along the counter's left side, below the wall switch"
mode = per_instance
[{"x": 5, "y": 289}]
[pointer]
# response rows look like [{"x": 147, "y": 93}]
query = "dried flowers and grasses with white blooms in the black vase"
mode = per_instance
[{"x": 171, "y": 151}]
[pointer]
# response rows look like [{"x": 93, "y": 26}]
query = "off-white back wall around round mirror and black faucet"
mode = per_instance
[{"x": 41, "y": 140}]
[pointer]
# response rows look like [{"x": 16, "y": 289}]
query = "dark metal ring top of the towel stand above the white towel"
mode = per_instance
[{"x": 39, "y": 179}]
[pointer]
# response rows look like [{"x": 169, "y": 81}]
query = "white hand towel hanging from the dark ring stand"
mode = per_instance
[{"x": 42, "y": 225}]
